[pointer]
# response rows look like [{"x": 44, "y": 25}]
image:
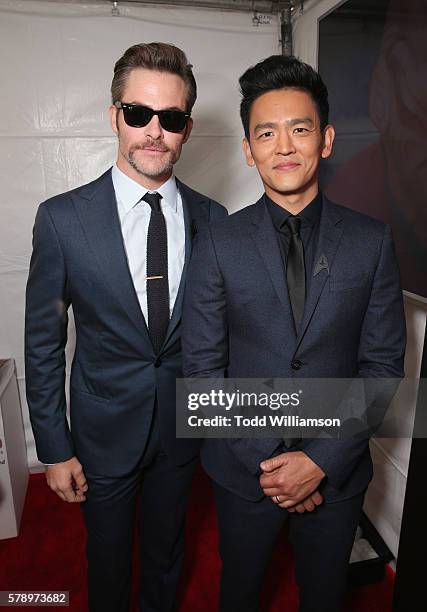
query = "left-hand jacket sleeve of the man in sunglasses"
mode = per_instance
[{"x": 46, "y": 320}]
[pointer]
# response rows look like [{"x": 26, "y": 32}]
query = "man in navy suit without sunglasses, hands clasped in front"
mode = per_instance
[{"x": 293, "y": 286}]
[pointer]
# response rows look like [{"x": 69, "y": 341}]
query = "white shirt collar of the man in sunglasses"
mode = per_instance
[{"x": 130, "y": 192}]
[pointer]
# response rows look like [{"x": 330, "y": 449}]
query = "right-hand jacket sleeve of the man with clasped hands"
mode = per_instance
[{"x": 380, "y": 356}]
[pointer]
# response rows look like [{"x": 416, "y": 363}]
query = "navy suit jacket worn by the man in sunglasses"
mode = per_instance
[{"x": 79, "y": 259}]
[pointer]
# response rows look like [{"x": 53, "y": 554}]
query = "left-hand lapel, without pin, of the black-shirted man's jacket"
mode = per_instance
[{"x": 265, "y": 238}]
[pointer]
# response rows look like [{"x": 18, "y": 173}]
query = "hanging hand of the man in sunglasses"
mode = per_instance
[{"x": 67, "y": 480}]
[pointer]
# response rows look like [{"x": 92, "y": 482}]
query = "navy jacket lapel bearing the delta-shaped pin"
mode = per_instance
[{"x": 330, "y": 232}]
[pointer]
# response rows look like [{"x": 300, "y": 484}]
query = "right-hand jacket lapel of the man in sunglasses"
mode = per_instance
[{"x": 196, "y": 210}]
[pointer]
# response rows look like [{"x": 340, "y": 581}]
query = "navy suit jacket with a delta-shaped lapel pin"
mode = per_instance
[{"x": 237, "y": 321}]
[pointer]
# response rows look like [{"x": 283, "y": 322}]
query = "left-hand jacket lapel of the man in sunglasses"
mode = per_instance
[{"x": 97, "y": 210}]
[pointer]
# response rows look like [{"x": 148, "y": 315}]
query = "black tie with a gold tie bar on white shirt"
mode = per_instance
[{"x": 157, "y": 273}]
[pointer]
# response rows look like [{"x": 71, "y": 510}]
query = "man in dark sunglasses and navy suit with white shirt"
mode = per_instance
[{"x": 117, "y": 251}]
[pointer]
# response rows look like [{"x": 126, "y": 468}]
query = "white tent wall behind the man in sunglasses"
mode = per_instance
[{"x": 56, "y": 62}]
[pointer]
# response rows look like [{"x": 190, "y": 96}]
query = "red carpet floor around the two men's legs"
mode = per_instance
[{"x": 49, "y": 554}]
